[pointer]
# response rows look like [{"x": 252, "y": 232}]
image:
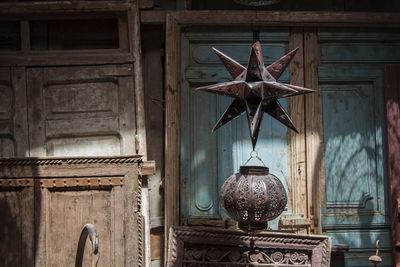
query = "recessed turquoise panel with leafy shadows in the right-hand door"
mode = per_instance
[{"x": 350, "y": 157}]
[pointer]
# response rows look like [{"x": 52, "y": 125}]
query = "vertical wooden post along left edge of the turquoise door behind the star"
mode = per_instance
[{"x": 172, "y": 127}]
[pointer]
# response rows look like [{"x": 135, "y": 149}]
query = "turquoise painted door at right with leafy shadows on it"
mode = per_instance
[{"x": 351, "y": 78}]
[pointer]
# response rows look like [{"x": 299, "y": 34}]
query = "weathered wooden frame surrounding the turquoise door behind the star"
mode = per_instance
[{"x": 312, "y": 157}]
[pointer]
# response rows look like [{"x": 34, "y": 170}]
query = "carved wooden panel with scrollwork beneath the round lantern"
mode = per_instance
[{"x": 190, "y": 247}]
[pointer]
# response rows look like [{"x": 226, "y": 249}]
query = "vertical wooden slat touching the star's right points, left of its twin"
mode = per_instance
[{"x": 297, "y": 164}]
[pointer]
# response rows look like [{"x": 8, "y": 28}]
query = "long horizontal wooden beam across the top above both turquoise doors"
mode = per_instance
[{"x": 278, "y": 18}]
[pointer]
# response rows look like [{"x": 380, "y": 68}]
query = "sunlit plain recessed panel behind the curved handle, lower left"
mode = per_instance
[{"x": 67, "y": 213}]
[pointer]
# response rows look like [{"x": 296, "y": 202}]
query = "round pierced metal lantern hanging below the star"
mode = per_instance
[{"x": 253, "y": 197}]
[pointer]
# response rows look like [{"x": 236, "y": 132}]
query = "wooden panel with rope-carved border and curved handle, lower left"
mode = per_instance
[{"x": 46, "y": 203}]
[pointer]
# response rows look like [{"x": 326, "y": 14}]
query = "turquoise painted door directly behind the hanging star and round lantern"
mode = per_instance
[{"x": 208, "y": 159}]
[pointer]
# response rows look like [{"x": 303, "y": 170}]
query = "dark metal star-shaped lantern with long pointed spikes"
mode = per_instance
[{"x": 255, "y": 90}]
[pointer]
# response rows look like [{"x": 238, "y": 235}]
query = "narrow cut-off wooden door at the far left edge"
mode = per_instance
[{"x": 13, "y": 123}]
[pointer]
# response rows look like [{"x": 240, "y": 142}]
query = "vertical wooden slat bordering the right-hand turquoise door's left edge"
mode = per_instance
[{"x": 314, "y": 130}]
